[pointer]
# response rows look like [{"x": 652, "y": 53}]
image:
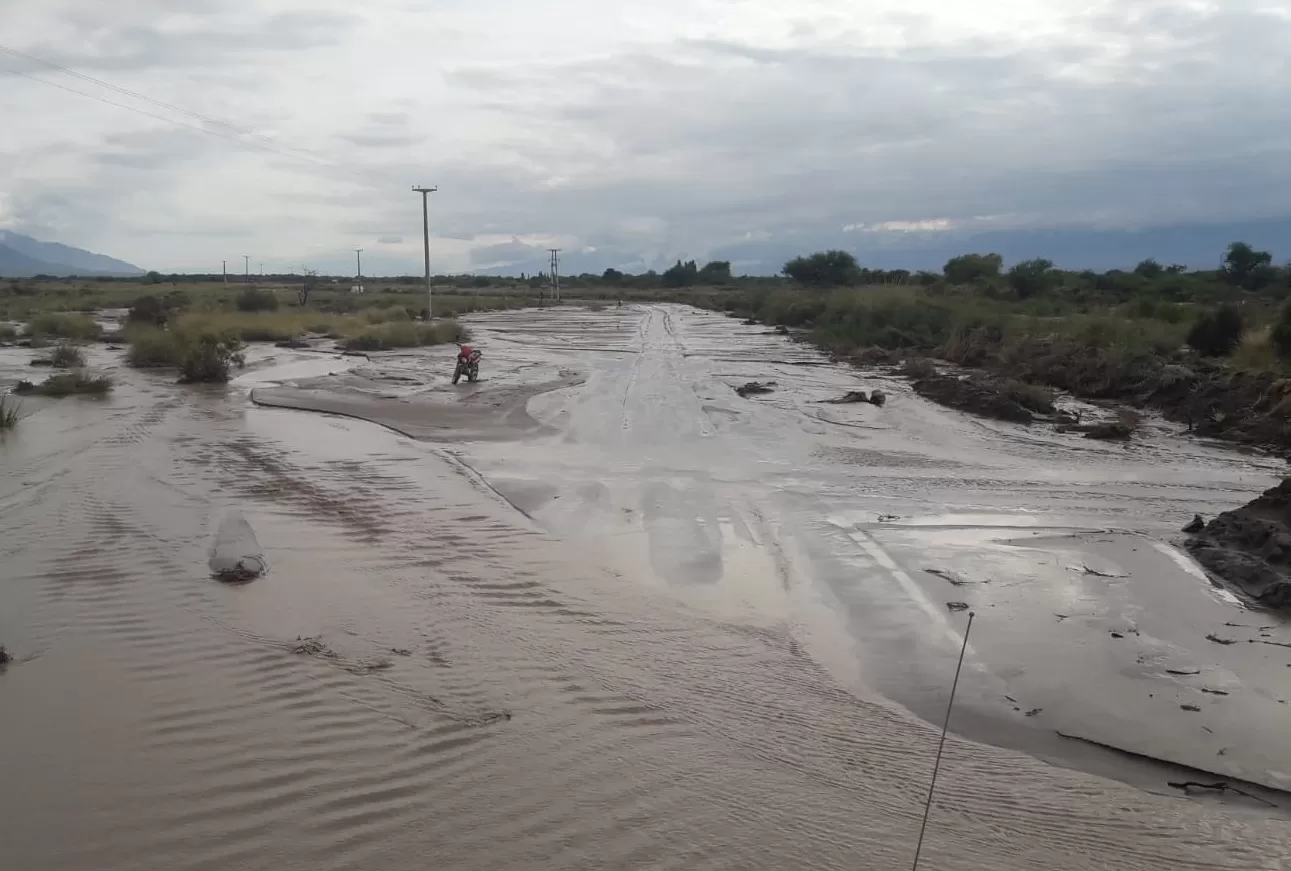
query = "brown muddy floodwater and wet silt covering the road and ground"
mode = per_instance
[{"x": 598, "y": 612}]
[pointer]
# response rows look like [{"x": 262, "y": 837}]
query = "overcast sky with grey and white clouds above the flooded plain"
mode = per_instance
[{"x": 656, "y": 128}]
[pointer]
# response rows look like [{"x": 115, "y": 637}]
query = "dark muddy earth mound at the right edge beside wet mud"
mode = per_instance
[{"x": 1250, "y": 548}]
